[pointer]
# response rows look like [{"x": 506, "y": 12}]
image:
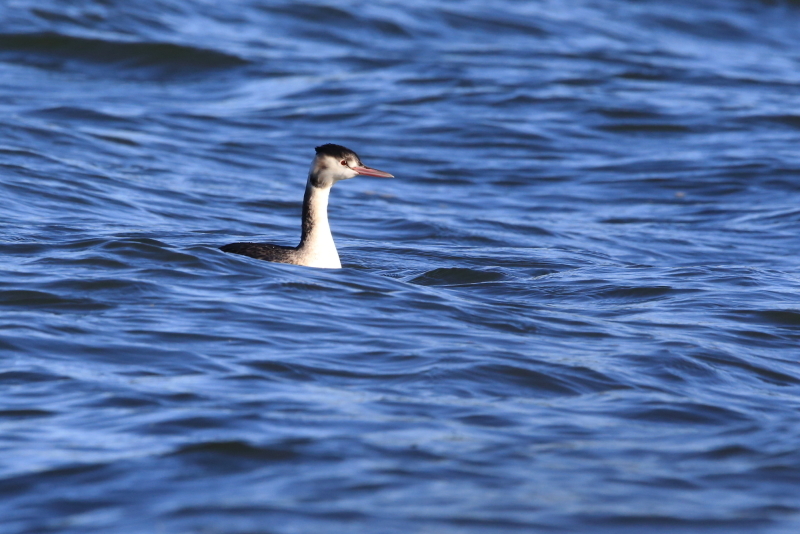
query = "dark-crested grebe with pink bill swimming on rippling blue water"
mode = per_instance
[{"x": 332, "y": 163}]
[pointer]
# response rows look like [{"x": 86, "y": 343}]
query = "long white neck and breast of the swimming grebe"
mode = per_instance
[{"x": 316, "y": 248}]
